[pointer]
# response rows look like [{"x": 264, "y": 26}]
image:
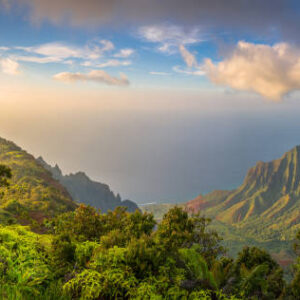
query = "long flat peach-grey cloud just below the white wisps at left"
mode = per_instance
[{"x": 95, "y": 75}]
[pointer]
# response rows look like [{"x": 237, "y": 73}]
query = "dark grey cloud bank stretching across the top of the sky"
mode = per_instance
[{"x": 234, "y": 14}]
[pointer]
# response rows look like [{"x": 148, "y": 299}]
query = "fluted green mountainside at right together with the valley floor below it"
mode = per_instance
[{"x": 264, "y": 211}]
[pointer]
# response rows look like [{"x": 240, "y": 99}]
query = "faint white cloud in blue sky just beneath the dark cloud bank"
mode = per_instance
[{"x": 169, "y": 37}]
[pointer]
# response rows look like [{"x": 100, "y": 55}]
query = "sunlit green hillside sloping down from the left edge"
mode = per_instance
[{"x": 33, "y": 193}]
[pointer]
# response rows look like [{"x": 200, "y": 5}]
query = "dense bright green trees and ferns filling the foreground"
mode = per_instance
[{"x": 119, "y": 255}]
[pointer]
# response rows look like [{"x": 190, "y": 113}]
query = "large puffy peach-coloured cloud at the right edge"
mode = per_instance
[{"x": 271, "y": 71}]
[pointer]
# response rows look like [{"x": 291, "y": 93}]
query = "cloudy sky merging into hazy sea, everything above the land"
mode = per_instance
[{"x": 160, "y": 100}]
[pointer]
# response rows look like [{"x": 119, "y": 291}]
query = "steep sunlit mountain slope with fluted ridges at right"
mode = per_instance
[{"x": 266, "y": 206}]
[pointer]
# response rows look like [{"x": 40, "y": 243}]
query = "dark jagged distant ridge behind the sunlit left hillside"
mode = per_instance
[{"x": 84, "y": 190}]
